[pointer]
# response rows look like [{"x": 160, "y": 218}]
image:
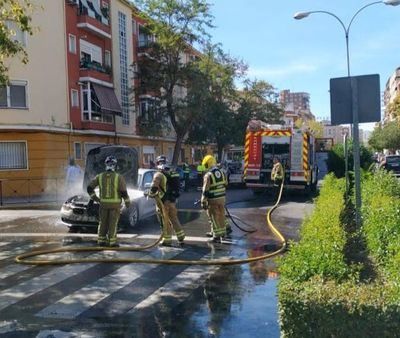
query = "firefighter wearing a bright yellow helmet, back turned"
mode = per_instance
[{"x": 213, "y": 197}]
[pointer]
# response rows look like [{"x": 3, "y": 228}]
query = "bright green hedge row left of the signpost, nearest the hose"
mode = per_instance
[{"x": 320, "y": 250}]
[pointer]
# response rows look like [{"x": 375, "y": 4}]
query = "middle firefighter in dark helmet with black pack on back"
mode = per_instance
[{"x": 165, "y": 189}]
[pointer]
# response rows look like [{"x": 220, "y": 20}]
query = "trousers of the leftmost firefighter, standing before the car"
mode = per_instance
[{"x": 108, "y": 224}]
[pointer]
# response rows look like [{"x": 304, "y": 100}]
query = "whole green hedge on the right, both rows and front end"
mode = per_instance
[{"x": 320, "y": 292}]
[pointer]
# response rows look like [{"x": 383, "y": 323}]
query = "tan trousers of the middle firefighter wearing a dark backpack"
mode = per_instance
[{"x": 168, "y": 217}]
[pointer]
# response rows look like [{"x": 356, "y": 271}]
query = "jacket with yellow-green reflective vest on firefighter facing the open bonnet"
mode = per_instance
[{"x": 112, "y": 188}]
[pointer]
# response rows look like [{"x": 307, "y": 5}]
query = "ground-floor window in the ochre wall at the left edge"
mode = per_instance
[{"x": 13, "y": 155}]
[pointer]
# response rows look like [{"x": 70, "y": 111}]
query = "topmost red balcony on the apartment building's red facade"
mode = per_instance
[{"x": 93, "y": 23}]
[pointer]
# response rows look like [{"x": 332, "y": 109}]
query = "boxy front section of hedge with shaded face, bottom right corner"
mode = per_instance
[{"x": 318, "y": 308}]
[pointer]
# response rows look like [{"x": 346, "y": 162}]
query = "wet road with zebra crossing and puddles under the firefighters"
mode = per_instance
[{"x": 142, "y": 300}]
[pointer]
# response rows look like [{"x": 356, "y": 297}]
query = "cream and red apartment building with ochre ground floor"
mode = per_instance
[{"x": 76, "y": 93}]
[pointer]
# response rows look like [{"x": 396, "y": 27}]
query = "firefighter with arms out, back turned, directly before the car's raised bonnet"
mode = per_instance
[{"x": 112, "y": 188}]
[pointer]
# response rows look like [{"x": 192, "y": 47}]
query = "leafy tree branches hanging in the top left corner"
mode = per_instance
[{"x": 14, "y": 15}]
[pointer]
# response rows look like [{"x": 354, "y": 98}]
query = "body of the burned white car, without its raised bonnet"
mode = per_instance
[{"x": 80, "y": 211}]
